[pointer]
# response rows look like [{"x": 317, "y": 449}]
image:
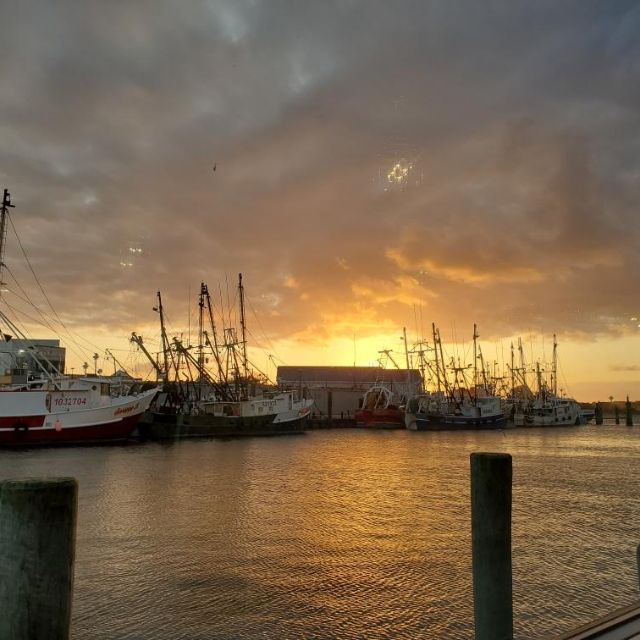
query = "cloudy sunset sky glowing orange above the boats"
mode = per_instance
[{"x": 377, "y": 165}]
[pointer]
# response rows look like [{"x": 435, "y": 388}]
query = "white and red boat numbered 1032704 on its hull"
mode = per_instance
[{"x": 55, "y": 409}]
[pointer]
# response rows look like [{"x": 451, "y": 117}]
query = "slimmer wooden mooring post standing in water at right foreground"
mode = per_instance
[{"x": 491, "y": 475}]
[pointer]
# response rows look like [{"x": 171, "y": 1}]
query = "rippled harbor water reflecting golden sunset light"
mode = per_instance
[{"x": 341, "y": 534}]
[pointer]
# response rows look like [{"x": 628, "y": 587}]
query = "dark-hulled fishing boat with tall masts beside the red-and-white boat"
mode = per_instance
[{"x": 228, "y": 401}]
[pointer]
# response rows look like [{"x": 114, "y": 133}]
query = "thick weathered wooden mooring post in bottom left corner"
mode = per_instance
[{"x": 37, "y": 549}]
